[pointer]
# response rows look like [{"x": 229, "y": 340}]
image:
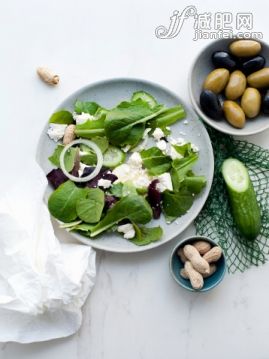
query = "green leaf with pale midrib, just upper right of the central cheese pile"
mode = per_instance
[{"x": 155, "y": 161}]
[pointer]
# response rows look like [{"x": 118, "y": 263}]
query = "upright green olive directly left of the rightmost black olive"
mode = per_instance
[{"x": 251, "y": 102}]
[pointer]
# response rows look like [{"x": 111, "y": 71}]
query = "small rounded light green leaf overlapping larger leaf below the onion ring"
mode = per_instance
[{"x": 90, "y": 209}]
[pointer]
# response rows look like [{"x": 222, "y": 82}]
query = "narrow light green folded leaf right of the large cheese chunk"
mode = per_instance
[{"x": 180, "y": 167}]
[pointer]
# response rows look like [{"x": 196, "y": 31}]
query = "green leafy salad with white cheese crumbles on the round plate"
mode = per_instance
[{"x": 120, "y": 169}]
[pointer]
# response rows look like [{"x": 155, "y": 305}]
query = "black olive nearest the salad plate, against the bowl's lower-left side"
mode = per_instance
[{"x": 210, "y": 104}]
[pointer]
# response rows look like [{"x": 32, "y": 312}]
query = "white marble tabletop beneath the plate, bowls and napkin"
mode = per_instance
[{"x": 136, "y": 309}]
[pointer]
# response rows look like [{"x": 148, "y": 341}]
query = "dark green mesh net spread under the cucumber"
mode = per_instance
[{"x": 215, "y": 220}]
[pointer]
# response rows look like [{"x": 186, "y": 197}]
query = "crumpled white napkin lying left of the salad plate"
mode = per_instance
[{"x": 43, "y": 283}]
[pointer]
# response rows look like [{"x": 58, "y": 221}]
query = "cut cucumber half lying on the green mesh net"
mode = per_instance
[{"x": 244, "y": 205}]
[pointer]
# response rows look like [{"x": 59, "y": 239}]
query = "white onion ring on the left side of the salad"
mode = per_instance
[{"x": 99, "y": 164}]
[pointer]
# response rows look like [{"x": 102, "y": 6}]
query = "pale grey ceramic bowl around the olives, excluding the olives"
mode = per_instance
[{"x": 201, "y": 67}]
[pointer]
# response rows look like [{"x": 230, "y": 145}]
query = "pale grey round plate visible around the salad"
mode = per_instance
[{"x": 109, "y": 93}]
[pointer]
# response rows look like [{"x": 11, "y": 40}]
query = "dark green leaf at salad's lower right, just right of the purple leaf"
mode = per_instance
[{"x": 175, "y": 204}]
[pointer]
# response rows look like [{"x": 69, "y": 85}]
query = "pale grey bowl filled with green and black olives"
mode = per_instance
[{"x": 247, "y": 64}]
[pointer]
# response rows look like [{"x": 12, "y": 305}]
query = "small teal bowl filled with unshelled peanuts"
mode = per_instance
[{"x": 197, "y": 264}]
